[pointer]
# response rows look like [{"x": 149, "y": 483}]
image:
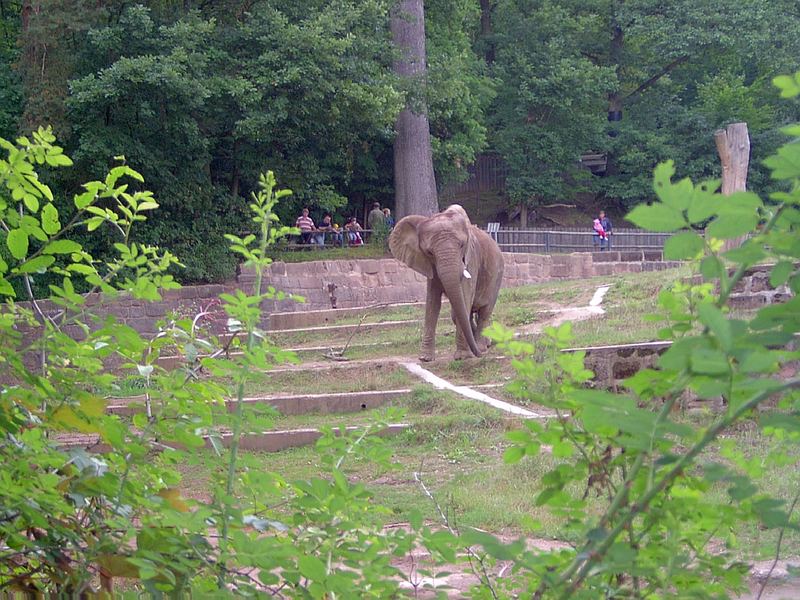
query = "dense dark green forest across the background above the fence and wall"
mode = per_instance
[{"x": 201, "y": 96}]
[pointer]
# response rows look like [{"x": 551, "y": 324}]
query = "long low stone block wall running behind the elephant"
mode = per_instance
[{"x": 377, "y": 281}]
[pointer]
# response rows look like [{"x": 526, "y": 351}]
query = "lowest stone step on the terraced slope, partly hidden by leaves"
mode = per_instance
[{"x": 265, "y": 441}]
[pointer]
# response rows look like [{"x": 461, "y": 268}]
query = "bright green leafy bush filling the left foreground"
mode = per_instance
[{"x": 69, "y": 518}]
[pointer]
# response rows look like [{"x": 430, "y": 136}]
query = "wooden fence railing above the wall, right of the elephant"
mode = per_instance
[{"x": 574, "y": 240}]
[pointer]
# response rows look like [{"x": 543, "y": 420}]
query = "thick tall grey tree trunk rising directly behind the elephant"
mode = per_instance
[{"x": 414, "y": 180}]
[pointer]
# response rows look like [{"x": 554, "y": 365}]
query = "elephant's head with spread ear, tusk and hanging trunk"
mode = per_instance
[{"x": 441, "y": 246}]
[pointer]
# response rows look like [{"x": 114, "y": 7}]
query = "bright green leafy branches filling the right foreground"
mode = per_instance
[{"x": 666, "y": 501}]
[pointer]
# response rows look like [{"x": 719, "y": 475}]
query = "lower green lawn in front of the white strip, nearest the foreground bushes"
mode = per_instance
[{"x": 456, "y": 446}]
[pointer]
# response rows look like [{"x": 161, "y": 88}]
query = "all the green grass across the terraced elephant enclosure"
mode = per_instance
[{"x": 456, "y": 445}]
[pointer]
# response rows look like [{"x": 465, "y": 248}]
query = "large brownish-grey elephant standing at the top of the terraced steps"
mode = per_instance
[{"x": 459, "y": 260}]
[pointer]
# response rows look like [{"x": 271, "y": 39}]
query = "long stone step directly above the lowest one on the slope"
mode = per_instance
[{"x": 298, "y": 404}]
